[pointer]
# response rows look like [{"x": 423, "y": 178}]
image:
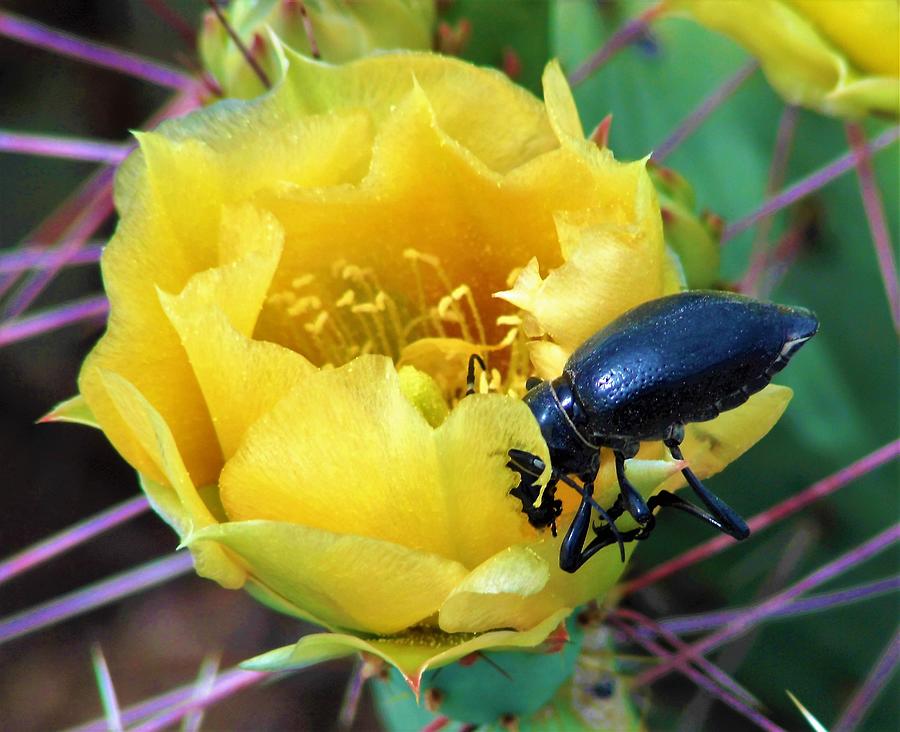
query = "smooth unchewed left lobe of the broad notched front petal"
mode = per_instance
[{"x": 343, "y": 449}]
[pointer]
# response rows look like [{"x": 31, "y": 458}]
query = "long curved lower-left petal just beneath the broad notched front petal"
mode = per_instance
[{"x": 348, "y": 581}]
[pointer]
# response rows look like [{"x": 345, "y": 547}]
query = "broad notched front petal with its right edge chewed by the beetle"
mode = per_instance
[{"x": 443, "y": 491}]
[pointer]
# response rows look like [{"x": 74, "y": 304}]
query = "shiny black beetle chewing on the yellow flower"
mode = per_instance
[{"x": 668, "y": 362}]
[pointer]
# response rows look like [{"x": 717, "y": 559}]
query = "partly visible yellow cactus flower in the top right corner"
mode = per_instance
[{"x": 840, "y": 57}]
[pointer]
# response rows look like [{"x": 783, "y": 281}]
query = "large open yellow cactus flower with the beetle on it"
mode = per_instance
[{"x": 296, "y": 284}]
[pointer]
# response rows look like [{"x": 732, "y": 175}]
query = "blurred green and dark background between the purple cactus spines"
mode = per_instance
[{"x": 845, "y": 382}]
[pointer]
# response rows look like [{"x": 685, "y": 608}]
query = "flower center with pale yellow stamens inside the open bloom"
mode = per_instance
[{"x": 334, "y": 317}]
